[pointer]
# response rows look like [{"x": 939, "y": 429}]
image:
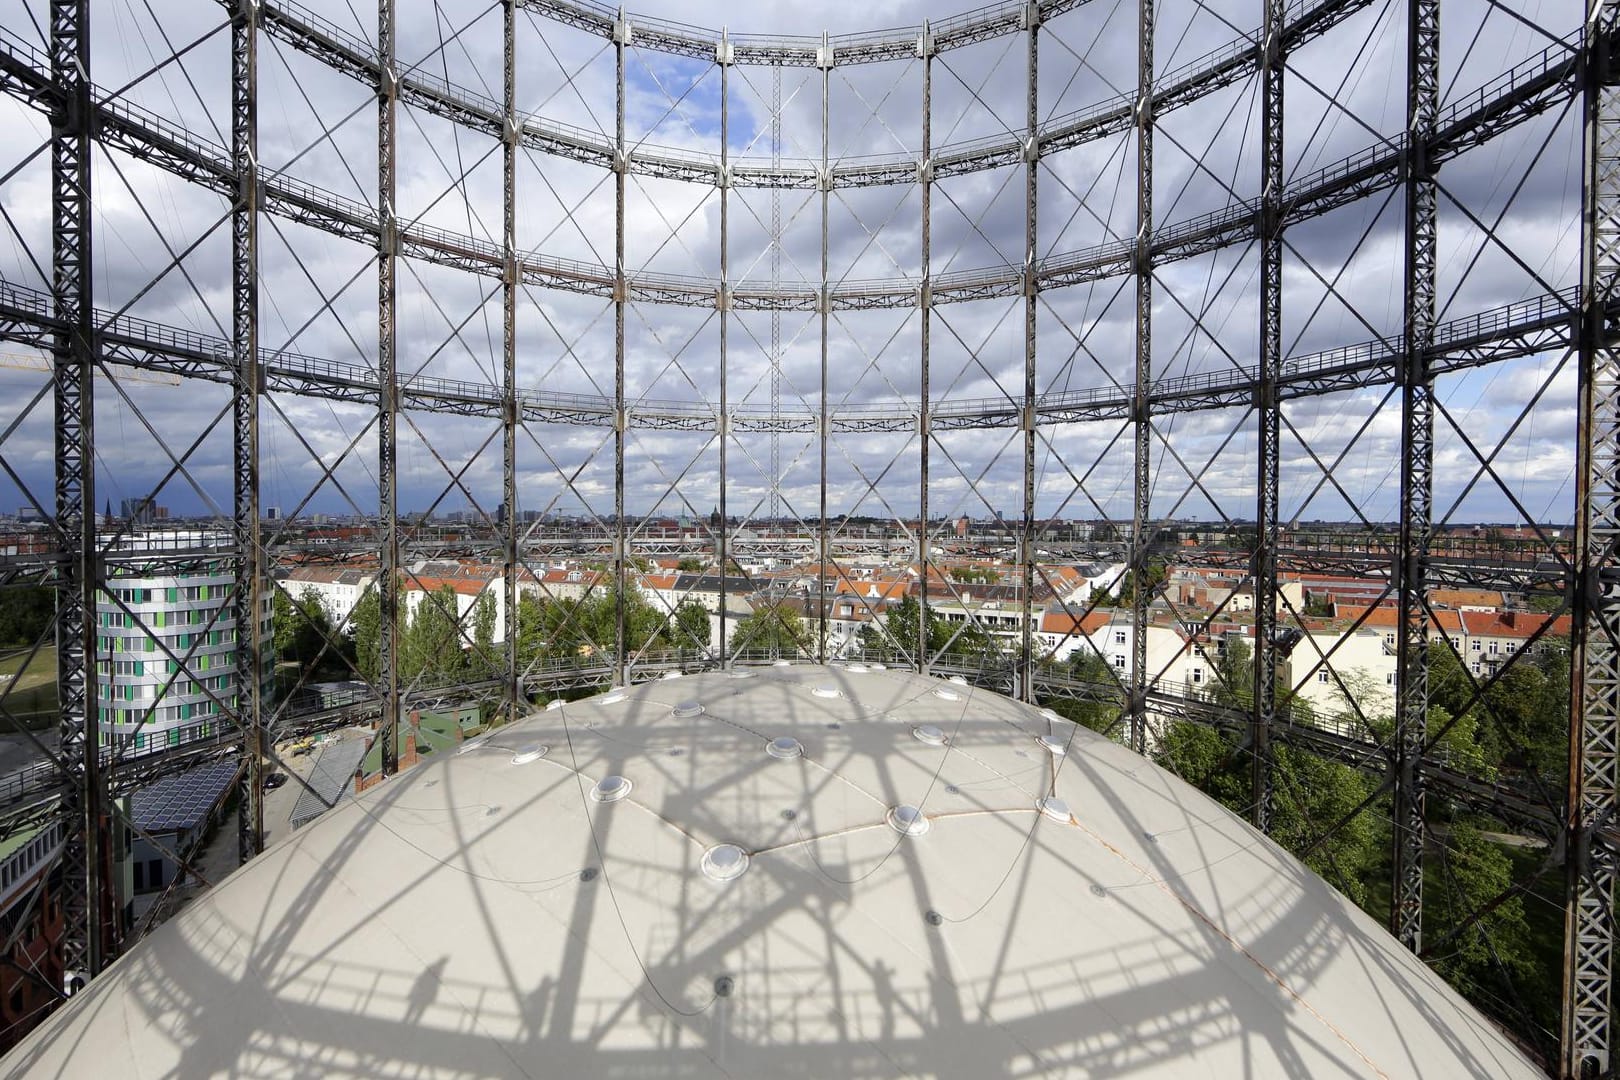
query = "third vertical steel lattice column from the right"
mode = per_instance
[{"x": 1269, "y": 412}]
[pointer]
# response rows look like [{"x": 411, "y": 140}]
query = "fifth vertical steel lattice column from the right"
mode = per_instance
[{"x": 1031, "y": 320}]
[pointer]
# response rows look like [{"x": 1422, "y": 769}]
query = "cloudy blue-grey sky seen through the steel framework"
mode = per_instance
[{"x": 163, "y": 253}]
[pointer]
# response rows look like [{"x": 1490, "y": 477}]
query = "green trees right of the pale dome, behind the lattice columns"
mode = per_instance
[{"x": 1339, "y": 820}]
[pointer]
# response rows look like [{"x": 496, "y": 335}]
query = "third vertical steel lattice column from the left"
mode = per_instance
[{"x": 388, "y": 401}]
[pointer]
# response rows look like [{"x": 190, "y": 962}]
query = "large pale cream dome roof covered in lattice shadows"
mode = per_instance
[{"x": 740, "y": 914}]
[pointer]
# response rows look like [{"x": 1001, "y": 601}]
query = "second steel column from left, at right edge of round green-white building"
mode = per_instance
[{"x": 245, "y": 417}]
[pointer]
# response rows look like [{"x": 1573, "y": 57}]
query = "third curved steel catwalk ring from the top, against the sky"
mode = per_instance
[{"x": 1512, "y": 98}]
